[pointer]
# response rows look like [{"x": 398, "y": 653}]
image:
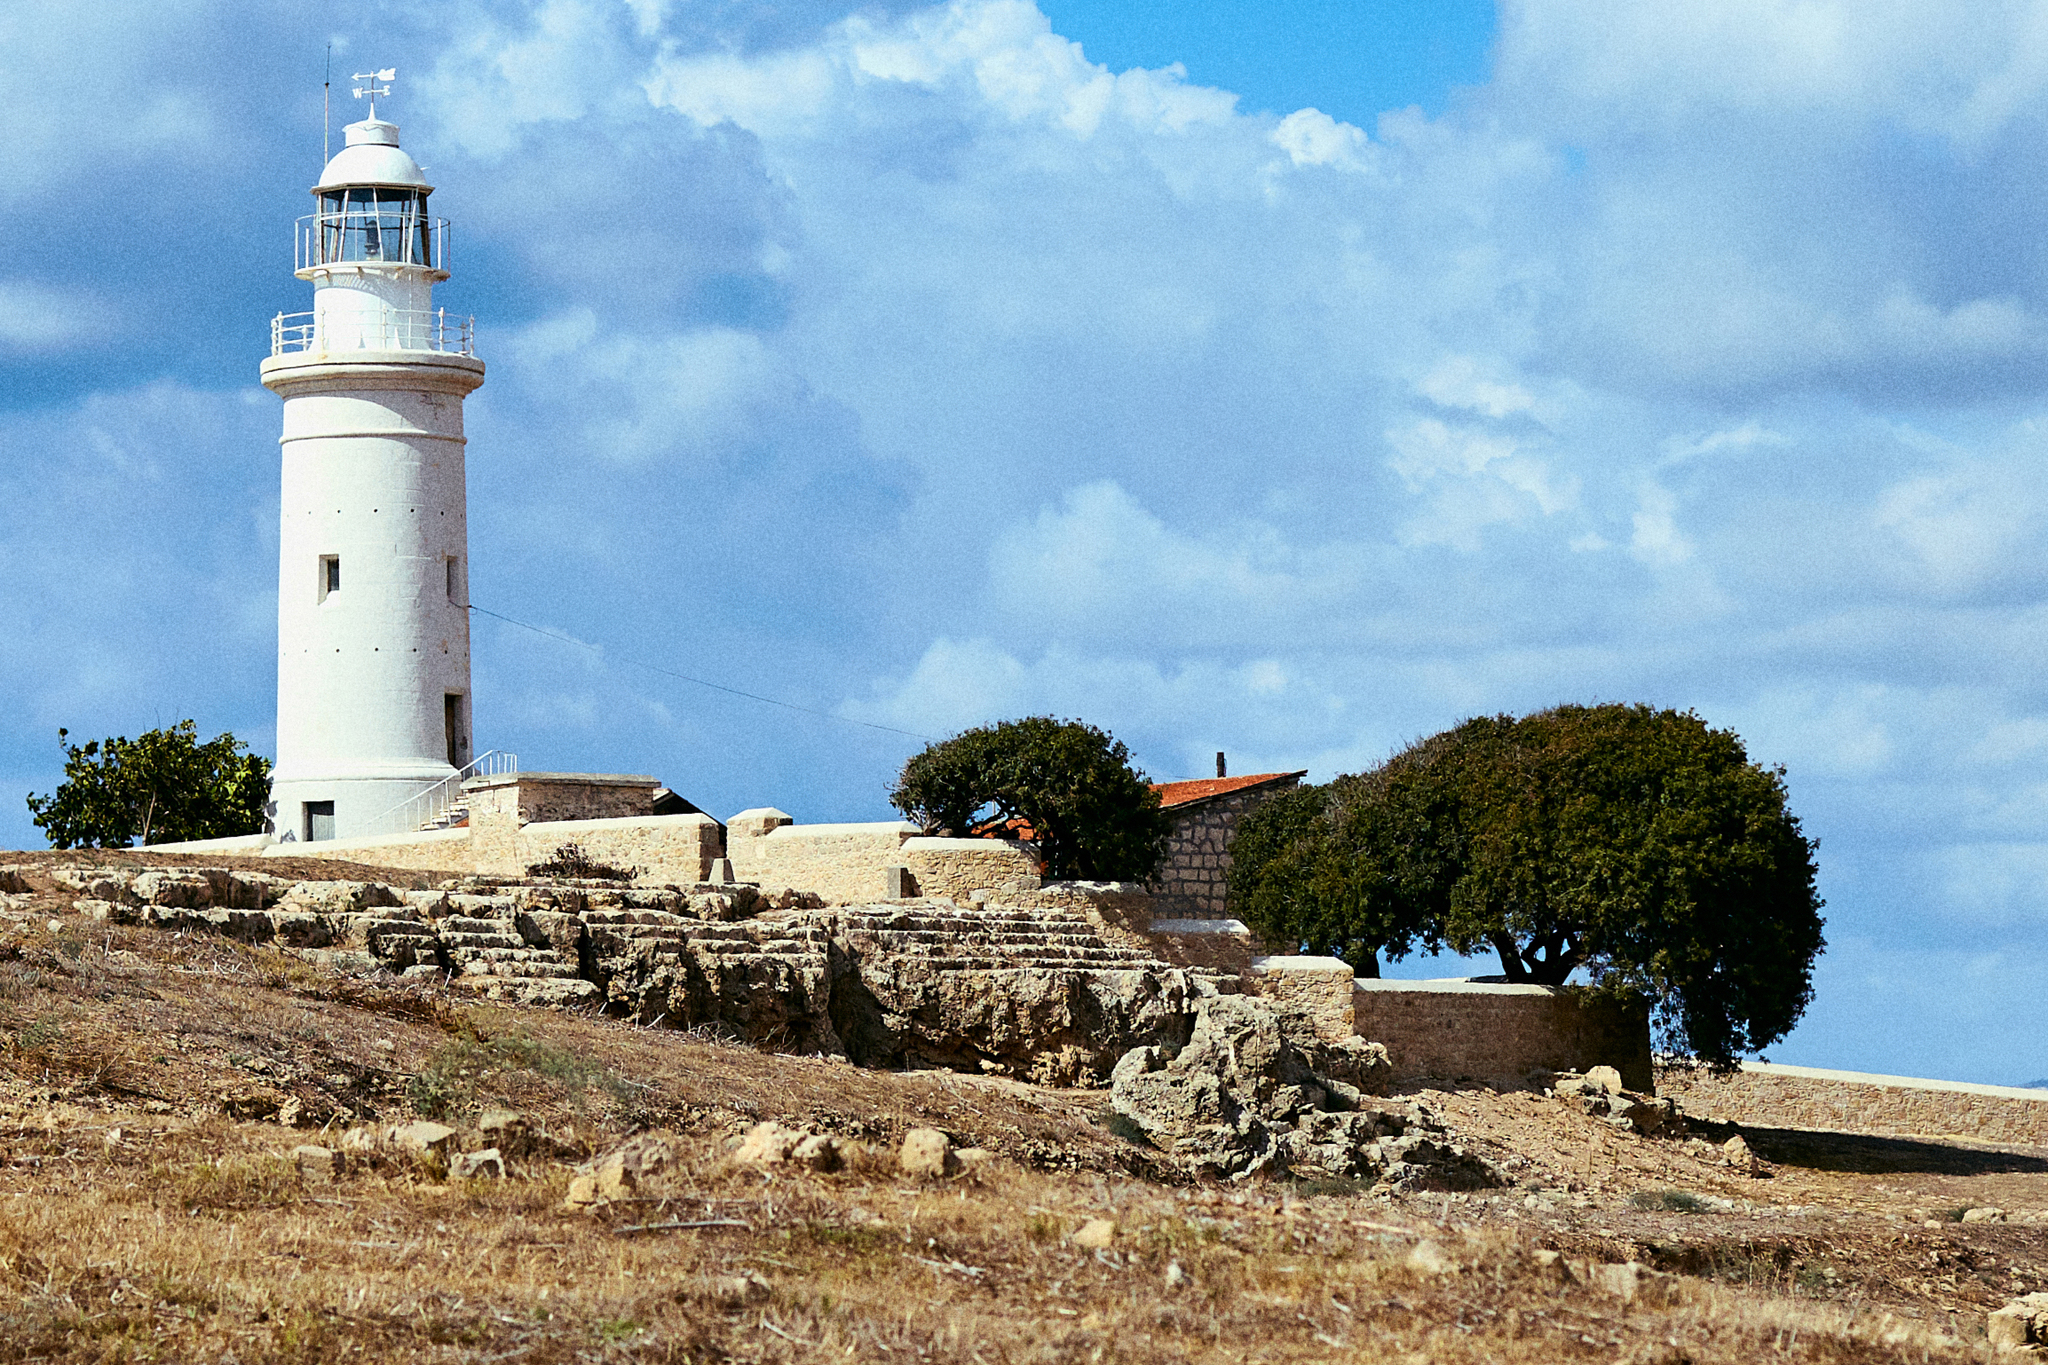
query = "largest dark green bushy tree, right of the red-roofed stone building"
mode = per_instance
[{"x": 1637, "y": 844}]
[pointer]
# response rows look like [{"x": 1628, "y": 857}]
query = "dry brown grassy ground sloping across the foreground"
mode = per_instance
[{"x": 153, "y": 1090}]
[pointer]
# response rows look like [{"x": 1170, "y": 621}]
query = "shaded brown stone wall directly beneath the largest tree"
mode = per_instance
[{"x": 1496, "y": 1034}]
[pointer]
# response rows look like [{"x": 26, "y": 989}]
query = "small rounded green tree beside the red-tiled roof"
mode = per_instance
[{"x": 1091, "y": 811}]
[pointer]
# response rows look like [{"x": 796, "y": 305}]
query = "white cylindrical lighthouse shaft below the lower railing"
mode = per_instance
[{"x": 374, "y": 586}]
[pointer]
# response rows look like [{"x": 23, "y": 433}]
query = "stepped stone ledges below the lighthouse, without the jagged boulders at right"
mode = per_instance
[{"x": 1029, "y": 992}]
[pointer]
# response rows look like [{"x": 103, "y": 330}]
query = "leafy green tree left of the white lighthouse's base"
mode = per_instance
[{"x": 159, "y": 789}]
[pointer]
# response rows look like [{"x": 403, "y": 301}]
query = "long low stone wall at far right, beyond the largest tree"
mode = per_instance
[{"x": 1770, "y": 1096}]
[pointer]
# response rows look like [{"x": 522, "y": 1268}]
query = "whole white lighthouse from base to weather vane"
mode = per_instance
[{"x": 374, "y": 547}]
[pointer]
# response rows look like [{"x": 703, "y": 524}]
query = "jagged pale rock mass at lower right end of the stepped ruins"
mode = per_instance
[{"x": 1244, "y": 1100}]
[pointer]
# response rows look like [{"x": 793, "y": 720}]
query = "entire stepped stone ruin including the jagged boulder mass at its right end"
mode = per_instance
[{"x": 1220, "y": 1082}]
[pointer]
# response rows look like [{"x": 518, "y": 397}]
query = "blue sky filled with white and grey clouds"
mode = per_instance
[{"x": 1289, "y": 382}]
